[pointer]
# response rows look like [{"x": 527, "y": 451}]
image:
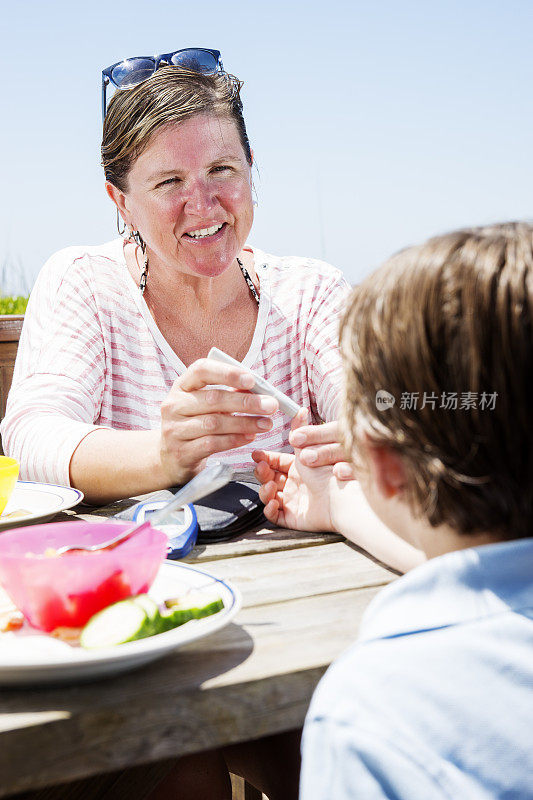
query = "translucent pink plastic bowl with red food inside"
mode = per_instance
[{"x": 67, "y": 590}]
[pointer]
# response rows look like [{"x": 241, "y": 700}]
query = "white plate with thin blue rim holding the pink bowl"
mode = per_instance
[{"x": 40, "y": 659}]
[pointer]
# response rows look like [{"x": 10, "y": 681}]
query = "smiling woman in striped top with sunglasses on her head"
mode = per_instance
[{"x": 112, "y": 392}]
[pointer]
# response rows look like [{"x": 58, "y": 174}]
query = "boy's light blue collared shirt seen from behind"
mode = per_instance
[{"x": 435, "y": 700}]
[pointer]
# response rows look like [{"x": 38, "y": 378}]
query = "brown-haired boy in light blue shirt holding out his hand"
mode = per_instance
[{"x": 435, "y": 700}]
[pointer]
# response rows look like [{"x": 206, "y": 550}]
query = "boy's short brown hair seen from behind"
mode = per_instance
[{"x": 451, "y": 320}]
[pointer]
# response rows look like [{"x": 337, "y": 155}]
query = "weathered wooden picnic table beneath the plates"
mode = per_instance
[{"x": 303, "y": 598}]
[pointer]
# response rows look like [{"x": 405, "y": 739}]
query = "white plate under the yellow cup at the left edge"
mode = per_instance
[{"x": 39, "y": 501}]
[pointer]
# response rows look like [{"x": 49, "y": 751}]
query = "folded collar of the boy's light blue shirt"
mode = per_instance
[{"x": 454, "y": 588}]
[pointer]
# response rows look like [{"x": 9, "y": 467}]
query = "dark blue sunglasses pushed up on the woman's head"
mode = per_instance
[{"x": 131, "y": 71}]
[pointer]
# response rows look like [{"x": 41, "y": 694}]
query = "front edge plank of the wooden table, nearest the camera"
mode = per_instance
[{"x": 249, "y": 680}]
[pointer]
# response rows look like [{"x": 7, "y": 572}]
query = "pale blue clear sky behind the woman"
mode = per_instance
[{"x": 374, "y": 124}]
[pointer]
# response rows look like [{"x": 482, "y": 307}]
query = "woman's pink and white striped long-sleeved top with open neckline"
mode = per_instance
[{"x": 91, "y": 354}]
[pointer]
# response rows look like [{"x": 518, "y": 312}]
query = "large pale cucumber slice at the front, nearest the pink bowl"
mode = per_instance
[{"x": 121, "y": 622}]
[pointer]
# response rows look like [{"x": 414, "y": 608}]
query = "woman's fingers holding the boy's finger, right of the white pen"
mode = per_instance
[{"x": 320, "y": 445}]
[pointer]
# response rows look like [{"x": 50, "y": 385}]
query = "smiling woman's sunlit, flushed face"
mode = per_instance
[{"x": 189, "y": 196}]
